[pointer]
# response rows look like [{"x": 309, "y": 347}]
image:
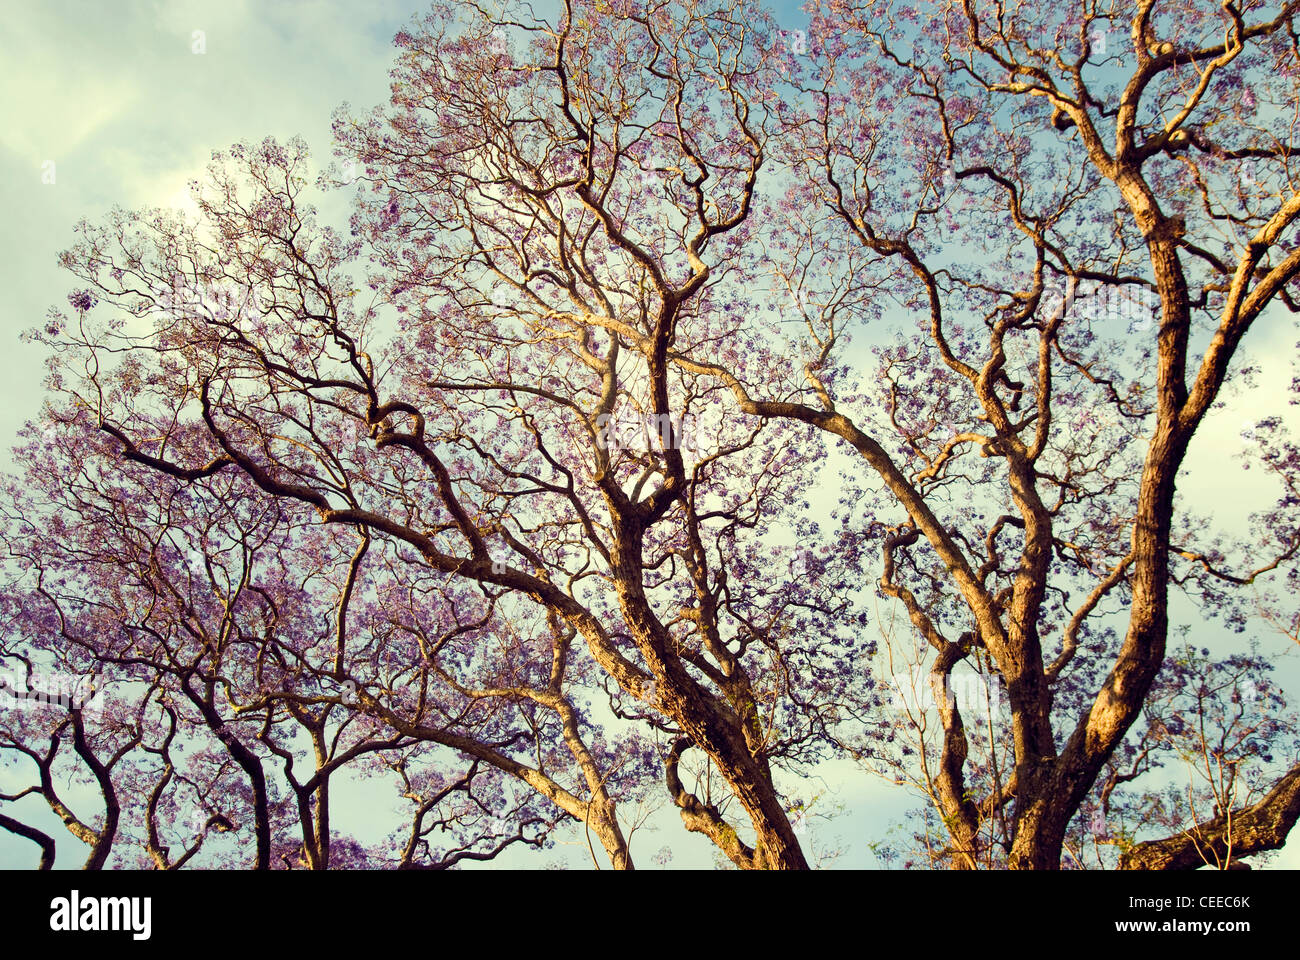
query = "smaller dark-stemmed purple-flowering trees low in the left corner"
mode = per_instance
[{"x": 211, "y": 624}]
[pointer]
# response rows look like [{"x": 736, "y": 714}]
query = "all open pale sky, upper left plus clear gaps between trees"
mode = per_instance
[{"x": 123, "y": 103}]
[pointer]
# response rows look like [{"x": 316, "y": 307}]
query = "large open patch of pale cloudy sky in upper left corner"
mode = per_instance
[{"x": 124, "y": 103}]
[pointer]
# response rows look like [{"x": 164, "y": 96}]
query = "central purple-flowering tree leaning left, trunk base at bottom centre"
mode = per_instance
[{"x": 514, "y": 477}]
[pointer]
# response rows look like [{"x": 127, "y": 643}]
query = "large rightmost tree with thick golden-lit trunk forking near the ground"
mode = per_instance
[{"x": 1084, "y": 176}]
